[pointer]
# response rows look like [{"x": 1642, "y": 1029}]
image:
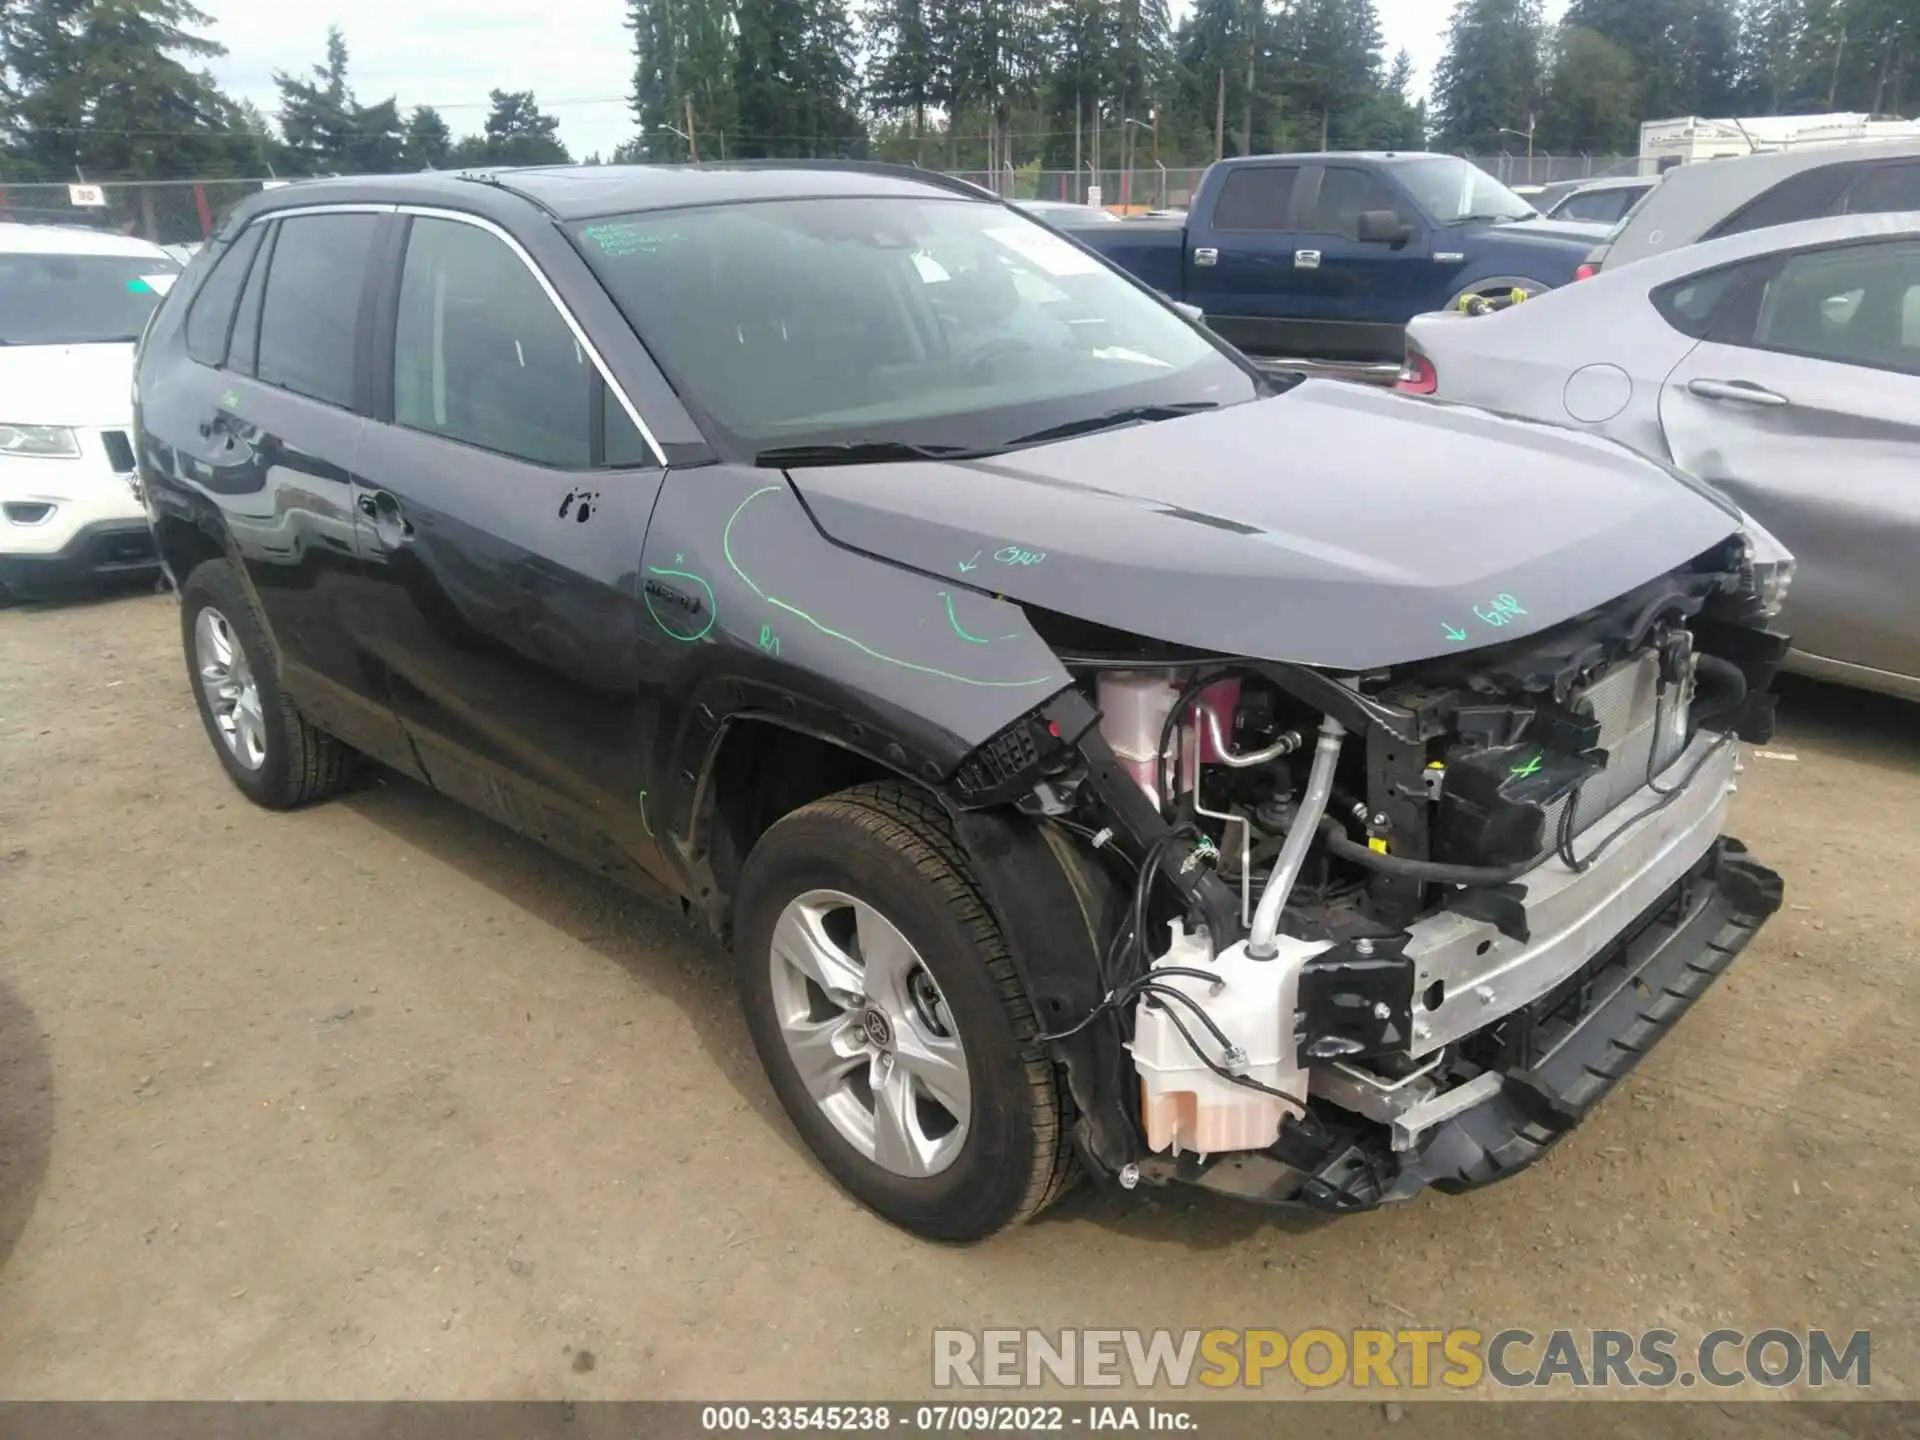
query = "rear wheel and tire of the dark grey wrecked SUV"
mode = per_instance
[{"x": 293, "y": 763}]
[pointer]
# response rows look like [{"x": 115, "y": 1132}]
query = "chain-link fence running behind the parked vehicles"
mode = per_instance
[{"x": 178, "y": 212}]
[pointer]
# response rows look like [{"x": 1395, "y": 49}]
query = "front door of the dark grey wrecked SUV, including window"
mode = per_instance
[{"x": 508, "y": 498}]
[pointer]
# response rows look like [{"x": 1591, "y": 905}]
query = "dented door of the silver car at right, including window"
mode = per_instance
[{"x": 1804, "y": 404}]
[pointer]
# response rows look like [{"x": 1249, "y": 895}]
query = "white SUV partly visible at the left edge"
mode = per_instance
[{"x": 72, "y": 306}]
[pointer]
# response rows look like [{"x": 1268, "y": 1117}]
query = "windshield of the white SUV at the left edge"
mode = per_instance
[{"x": 80, "y": 300}]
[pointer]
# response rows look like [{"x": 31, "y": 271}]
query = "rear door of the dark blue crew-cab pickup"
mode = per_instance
[{"x": 1241, "y": 262}]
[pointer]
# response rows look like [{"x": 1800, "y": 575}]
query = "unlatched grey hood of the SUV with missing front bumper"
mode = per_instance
[{"x": 1333, "y": 525}]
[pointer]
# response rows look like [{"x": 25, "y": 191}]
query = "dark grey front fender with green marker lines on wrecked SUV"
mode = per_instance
[{"x": 752, "y": 612}]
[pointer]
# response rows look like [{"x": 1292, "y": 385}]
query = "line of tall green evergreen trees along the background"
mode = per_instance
[{"x": 118, "y": 89}]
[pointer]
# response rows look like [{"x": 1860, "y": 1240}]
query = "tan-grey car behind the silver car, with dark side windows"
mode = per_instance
[{"x": 1716, "y": 199}]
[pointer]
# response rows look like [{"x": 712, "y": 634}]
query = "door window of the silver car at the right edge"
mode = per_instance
[{"x": 1852, "y": 304}]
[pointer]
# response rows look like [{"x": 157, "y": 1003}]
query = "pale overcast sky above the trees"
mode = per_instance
[{"x": 573, "y": 55}]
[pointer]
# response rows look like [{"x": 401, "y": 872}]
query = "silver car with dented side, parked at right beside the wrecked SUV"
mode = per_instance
[{"x": 1783, "y": 366}]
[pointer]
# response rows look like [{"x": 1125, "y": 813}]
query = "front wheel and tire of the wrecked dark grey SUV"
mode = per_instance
[{"x": 890, "y": 850}]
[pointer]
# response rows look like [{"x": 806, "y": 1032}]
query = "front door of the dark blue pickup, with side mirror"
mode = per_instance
[{"x": 1356, "y": 295}]
